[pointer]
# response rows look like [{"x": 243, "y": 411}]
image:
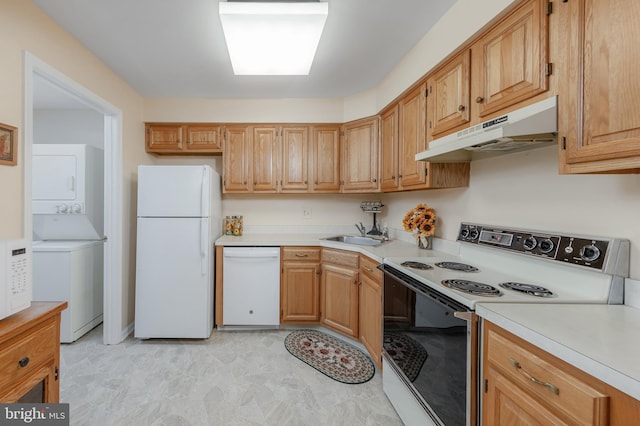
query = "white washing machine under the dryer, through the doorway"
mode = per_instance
[{"x": 71, "y": 271}]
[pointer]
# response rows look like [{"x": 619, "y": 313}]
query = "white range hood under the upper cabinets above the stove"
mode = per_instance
[{"x": 529, "y": 127}]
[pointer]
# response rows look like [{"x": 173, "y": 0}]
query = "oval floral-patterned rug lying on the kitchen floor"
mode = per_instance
[{"x": 331, "y": 356}]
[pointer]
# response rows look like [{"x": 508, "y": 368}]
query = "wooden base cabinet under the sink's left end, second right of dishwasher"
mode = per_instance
[{"x": 339, "y": 291}]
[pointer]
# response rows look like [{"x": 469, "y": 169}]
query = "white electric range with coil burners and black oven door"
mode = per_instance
[{"x": 436, "y": 295}]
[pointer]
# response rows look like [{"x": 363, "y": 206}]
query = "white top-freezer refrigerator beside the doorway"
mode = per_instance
[{"x": 179, "y": 210}]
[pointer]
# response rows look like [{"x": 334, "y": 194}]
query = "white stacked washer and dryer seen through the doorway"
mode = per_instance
[{"x": 68, "y": 226}]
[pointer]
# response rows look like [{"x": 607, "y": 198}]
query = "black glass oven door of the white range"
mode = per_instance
[{"x": 431, "y": 343}]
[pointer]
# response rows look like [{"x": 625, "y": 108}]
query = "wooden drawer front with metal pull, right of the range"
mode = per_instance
[{"x": 557, "y": 388}]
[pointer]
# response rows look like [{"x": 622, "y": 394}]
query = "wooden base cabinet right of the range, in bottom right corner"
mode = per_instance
[{"x": 526, "y": 385}]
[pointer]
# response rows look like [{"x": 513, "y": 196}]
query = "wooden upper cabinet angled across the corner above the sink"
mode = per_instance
[{"x": 360, "y": 156}]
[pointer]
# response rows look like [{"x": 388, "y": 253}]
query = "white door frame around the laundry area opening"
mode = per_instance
[{"x": 114, "y": 331}]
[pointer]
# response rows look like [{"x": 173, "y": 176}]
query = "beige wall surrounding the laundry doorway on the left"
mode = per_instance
[{"x": 25, "y": 28}]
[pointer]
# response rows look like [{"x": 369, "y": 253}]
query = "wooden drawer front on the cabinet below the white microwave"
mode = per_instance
[{"x": 38, "y": 347}]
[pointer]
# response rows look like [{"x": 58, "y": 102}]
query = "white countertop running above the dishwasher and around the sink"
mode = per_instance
[{"x": 392, "y": 248}]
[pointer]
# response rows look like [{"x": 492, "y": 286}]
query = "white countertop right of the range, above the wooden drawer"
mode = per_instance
[{"x": 602, "y": 340}]
